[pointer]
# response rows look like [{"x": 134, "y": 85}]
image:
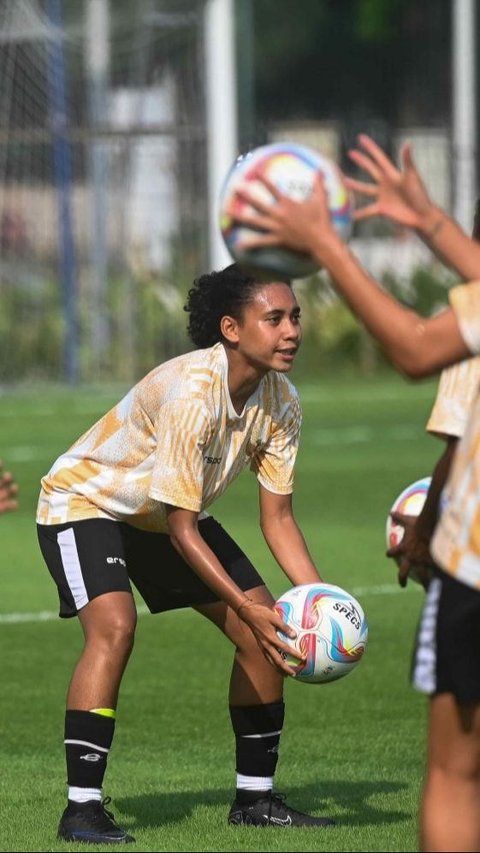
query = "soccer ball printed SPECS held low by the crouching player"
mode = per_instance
[{"x": 331, "y": 629}]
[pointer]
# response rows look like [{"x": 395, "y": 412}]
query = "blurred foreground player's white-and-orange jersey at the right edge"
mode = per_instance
[{"x": 456, "y": 541}]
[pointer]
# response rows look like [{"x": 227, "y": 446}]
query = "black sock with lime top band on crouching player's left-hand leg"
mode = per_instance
[{"x": 88, "y": 738}]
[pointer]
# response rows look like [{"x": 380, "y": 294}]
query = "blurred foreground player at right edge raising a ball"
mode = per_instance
[{"x": 447, "y": 656}]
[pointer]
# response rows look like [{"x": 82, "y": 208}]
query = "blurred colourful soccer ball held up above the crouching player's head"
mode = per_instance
[{"x": 292, "y": 169}]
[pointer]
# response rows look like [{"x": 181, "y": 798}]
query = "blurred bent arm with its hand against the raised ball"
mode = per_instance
[{"x": 416, "y": 345}]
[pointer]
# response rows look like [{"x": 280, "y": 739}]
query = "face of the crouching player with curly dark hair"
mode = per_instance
[{"x": 269, "y": 334}]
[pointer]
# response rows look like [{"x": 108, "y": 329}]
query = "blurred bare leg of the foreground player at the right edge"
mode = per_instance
[{"x": 449, "y": 819}]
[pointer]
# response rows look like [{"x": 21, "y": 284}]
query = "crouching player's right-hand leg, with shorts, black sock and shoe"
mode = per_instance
[{"x": 256, "y": 687}]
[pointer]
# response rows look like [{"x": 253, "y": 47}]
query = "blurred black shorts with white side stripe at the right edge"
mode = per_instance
[{"x": 446, "y": 658}]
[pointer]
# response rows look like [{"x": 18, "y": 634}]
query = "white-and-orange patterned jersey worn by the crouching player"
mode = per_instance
[{"x": 175, "y": 438}]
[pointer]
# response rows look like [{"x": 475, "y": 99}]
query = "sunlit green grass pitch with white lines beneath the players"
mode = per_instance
[{"x": 353, "y": 749}]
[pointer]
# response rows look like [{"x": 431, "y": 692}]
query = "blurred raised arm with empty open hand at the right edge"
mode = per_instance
[{"x": 400, "y": 195}]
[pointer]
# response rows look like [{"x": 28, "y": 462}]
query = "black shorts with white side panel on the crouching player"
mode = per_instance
[{"x": 91, "y": 557}]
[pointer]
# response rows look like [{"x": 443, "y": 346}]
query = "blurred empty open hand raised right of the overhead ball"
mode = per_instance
[{"x": 398, "y": 194}]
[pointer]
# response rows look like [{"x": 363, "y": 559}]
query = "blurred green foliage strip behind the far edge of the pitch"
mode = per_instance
[{"x": 146, "y": 325}]
